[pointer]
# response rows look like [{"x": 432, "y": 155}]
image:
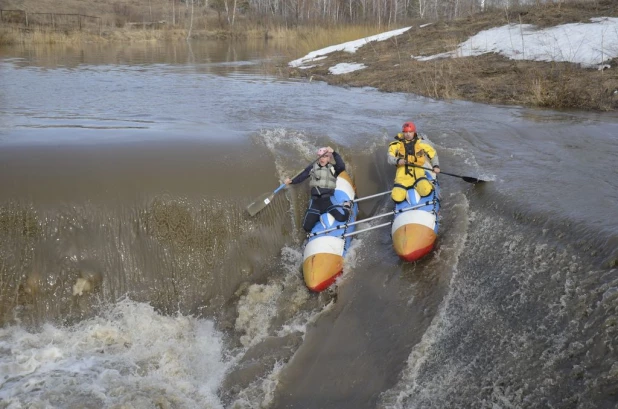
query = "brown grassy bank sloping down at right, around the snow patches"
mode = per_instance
[{"x": 488, "y": 78}]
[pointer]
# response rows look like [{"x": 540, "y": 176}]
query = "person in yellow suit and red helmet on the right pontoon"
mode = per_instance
[{"x": 410, "y": 149}]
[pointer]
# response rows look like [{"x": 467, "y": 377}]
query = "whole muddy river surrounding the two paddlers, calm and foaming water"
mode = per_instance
[{"x": 132, "y": 276}]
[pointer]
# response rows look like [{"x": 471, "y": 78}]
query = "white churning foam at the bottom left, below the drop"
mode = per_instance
[{"x": 130, "y": 356}]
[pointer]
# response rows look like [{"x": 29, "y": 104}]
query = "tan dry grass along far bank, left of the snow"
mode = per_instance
[{"x": 130, "y": 22}]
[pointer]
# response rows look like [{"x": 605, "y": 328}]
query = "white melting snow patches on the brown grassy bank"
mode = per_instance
[{"x": 588, "y": 44}]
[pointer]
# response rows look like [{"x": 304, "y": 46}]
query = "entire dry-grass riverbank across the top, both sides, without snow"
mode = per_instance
[{"x": 488, "y": 78}]
